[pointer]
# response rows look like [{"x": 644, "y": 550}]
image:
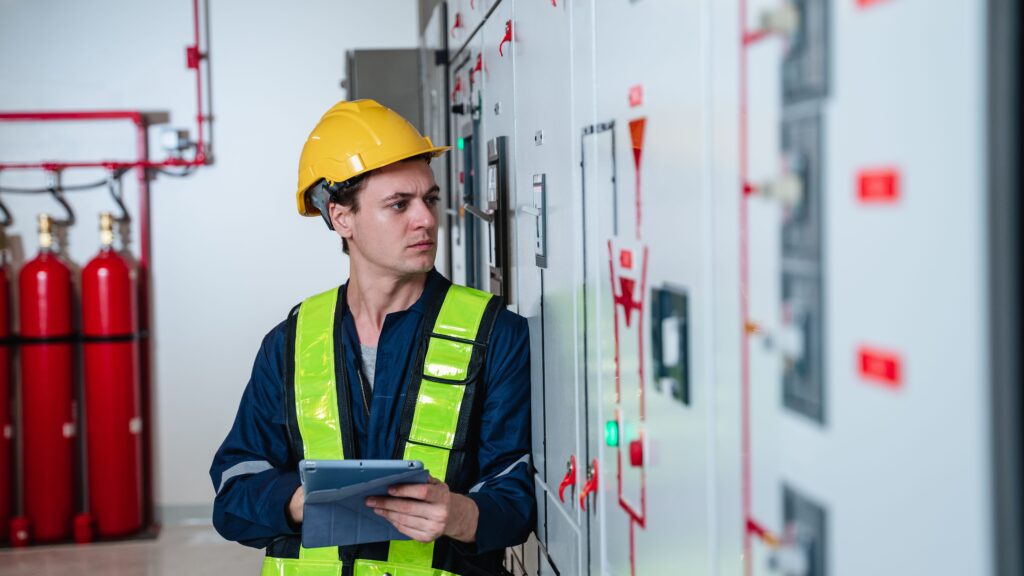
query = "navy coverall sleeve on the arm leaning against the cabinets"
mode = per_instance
[{"x": 504, "y": 495}]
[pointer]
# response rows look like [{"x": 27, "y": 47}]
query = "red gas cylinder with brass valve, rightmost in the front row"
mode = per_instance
[{"x": 112, "y": 391}]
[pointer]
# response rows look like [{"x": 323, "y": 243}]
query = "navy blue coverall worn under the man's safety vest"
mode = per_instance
[{"x": 255, "y": 478}]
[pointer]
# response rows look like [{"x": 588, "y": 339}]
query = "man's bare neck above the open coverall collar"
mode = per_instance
[{"x": 372, "y": 297}]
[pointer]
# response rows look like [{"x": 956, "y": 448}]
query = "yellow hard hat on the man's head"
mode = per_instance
[{"x": 355, "y": 138}]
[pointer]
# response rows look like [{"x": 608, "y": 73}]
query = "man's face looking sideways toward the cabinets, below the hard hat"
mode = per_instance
[{"x": 396, "y": 228}]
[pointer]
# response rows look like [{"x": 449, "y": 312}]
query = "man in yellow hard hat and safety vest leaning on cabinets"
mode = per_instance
[{"x": 397, "y": 363}]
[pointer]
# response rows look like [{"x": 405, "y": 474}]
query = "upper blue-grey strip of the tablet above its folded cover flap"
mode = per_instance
[{"x": 334, "y": 475}]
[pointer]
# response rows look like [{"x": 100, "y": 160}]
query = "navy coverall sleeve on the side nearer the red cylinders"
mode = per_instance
[{"x": 251, "y": 472}]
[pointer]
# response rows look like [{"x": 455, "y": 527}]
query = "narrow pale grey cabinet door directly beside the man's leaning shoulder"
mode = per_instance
[{"x": 548, "y": 264}]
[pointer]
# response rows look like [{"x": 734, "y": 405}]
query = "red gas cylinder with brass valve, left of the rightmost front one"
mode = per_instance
[{"x": 48, "y": 373}]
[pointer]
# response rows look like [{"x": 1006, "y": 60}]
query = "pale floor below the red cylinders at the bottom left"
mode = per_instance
[{"x": 180, "y": 550}]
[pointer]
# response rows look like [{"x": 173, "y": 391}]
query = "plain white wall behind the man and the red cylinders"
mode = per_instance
[{"x": 230, "y": 254}]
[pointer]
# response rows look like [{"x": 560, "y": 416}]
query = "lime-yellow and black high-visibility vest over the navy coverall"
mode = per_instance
[{"x": 437, "y": 418}]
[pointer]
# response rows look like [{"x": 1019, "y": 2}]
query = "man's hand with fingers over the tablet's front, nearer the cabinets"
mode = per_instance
[{"x": 428, "y": 512}]
